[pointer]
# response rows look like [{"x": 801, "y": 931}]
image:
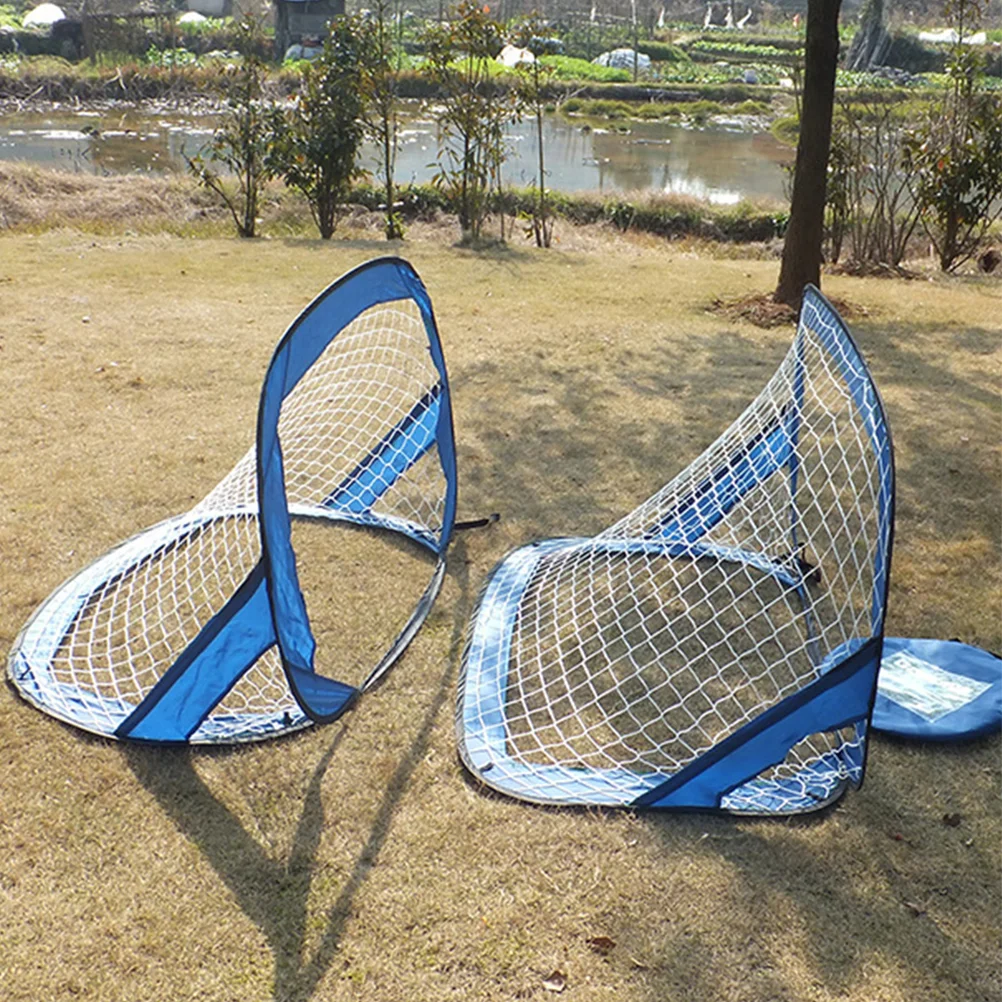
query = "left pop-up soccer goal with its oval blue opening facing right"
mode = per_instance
[{"x": 197, "y": 630}]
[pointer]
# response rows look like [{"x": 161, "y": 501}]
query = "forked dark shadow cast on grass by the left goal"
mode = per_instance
[{"x": 275, "y": 894}]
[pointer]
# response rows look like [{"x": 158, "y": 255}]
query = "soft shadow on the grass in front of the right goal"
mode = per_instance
[{"x": 846, "y": 899}]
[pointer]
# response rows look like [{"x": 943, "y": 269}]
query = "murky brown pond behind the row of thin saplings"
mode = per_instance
[{"x": 725, "y": 162}]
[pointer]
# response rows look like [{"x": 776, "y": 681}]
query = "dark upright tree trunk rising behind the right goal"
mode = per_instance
[{"x": 802, "y": 248}]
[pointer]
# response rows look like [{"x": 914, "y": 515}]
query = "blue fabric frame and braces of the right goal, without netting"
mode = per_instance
[{"x": 841, "y": 696}]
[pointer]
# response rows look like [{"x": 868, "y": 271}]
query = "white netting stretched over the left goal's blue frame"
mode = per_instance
[{"x": 102, "y": 643}]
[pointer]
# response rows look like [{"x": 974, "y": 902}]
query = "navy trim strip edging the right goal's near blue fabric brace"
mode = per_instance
[{"x": 854, "y": 664}]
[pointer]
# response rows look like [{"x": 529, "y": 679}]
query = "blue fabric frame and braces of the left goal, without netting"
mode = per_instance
[{"x": 268, "y": 610}]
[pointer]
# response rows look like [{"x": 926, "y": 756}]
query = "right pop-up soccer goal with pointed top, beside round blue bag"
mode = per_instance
[{"x": 718, "y": 648}]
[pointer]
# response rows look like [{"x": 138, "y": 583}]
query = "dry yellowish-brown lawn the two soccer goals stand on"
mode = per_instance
[{"x": 356, "y": 862}]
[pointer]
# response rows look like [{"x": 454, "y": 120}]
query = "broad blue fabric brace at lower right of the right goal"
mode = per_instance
[{"x": 838, "y": 698}]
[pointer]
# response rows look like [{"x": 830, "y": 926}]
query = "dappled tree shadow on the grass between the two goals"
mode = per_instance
[{"x": 591, "y": 458}]
